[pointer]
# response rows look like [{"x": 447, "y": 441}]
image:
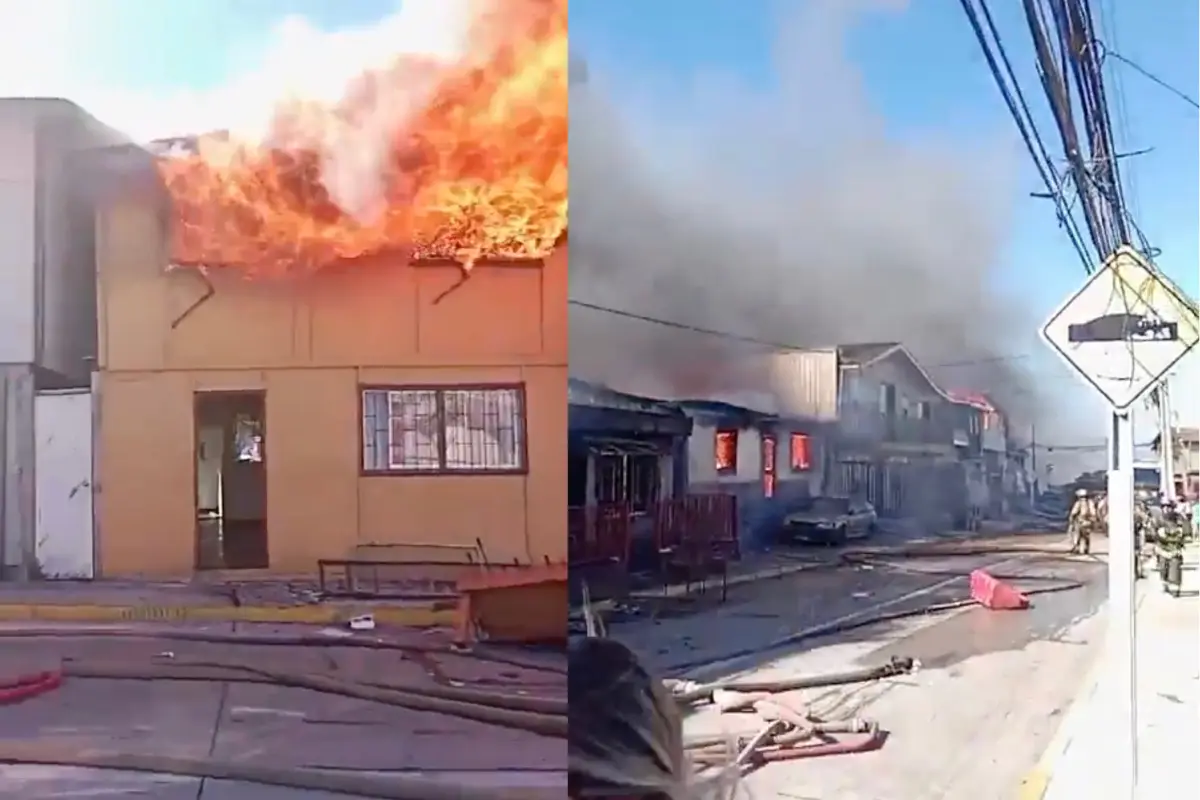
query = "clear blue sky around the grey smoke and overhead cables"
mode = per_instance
[{"x": 925, "y": 73}]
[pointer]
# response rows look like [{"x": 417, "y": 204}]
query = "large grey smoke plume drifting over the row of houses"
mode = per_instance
[{"x": 788, "y": 215}]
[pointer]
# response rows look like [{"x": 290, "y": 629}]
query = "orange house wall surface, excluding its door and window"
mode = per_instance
[{"x": 310, "y": 345}]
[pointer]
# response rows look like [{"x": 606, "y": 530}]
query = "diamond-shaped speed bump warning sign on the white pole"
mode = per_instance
[{"x": 1125, "y": 329}]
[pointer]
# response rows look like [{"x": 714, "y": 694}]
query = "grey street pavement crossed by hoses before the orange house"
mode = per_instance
[{"x": 263, "y": 725}]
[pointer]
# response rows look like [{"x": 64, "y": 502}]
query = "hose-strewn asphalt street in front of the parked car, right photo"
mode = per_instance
[{"x": 971, "y": 723}]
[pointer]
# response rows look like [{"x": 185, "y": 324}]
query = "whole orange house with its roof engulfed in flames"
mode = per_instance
[{"x": 289, "y": 375}]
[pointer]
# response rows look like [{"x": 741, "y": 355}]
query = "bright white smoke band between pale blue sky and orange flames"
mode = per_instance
[{"x": 297, "y": 61}]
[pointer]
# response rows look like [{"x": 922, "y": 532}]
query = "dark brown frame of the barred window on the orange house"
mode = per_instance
[{"x": 523, "y": 430}]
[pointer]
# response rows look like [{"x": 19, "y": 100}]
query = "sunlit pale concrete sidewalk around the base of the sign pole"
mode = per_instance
[{"x": 1168, "y": 708}]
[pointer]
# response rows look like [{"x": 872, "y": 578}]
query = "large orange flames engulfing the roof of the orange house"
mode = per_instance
[{"x": 463, "y": 160}]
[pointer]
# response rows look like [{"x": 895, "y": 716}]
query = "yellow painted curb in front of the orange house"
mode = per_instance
[{"x": 409, "y": 617}]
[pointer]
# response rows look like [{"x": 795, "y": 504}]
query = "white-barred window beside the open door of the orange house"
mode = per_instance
[{"x": 459, "y": 430}]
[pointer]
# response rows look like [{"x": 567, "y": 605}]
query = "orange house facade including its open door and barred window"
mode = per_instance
[{"x": 265, "y": 425}]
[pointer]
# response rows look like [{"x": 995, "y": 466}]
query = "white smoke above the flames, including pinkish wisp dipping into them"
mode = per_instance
[{"x": 297, "y": 62}]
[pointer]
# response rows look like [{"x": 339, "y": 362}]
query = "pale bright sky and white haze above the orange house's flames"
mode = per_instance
[{"x": 164, "y": 69}]
